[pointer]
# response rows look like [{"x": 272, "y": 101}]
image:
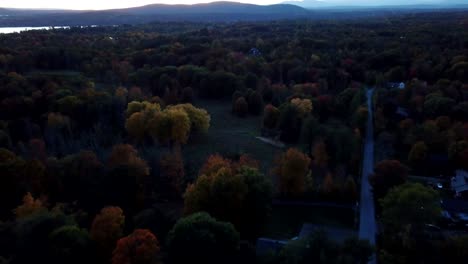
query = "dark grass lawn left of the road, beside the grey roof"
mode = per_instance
[{"x": 285, "y": 221}]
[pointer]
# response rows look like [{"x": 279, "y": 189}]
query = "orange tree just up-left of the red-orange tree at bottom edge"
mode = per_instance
[{"x": 107, "y": 228}]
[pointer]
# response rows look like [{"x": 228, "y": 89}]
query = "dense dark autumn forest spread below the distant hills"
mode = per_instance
[{"x": 177, "y": 142}]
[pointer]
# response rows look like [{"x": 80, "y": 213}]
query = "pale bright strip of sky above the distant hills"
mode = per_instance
[{"x": 108, "y": 4}]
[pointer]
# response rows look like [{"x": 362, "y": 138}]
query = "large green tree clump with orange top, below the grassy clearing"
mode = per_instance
[{"x": 231, "y": 191}]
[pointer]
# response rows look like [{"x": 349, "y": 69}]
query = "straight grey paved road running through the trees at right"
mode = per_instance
[{"x": 367, "y": 225}]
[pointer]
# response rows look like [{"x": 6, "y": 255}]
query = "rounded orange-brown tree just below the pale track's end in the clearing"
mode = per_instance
[{"x": 292, "y": 169}]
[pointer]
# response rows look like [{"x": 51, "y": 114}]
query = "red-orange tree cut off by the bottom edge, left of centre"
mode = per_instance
[{"x": 140, "y": 247}]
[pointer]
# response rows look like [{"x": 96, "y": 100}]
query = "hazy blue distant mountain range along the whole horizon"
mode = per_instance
[{"x": 212, "y": 12}]
